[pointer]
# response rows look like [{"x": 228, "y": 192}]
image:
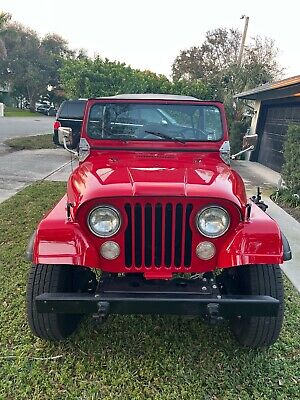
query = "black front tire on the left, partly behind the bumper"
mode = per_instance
[{"x": 45, "y": 278}]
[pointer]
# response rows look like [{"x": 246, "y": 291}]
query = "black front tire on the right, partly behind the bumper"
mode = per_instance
[{"x": 264, "y": 279}]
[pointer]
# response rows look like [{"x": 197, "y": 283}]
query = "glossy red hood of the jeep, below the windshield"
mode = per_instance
[{"x": 155, "y": 174}]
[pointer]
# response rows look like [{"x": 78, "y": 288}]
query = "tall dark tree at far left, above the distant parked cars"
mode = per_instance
[{"x": 31, "y": 64}]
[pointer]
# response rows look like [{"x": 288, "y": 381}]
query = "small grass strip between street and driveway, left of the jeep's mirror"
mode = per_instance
[{"x": 31, "y": 142}]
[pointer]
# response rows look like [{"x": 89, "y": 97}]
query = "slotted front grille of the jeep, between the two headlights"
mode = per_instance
[{"x": 158, "y": 235}]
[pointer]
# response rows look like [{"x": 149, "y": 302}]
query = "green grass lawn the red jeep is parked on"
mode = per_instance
[{"x": 129, "y": 357}]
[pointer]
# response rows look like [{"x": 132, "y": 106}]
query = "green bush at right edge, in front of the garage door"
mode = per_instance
[{"x": 291, "y": 153}]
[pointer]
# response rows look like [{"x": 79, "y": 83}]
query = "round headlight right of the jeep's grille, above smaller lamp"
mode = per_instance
[{"x": 212, "y": 221}]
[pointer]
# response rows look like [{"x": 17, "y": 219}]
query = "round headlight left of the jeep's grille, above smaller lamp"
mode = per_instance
[{"x": 104, "y": 221}]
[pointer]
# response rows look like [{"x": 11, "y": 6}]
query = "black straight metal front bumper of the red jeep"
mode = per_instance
[{"x": 137, "y": 296}]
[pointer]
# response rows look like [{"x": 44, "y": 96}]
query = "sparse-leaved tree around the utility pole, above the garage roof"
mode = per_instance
[{"x": 215, "y": 63}]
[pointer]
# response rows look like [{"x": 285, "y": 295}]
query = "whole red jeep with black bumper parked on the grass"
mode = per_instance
[{"x": 155, "y": 206}]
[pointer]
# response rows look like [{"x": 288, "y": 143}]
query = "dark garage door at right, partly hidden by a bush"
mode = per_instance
[{"x": 278, "y": 118}]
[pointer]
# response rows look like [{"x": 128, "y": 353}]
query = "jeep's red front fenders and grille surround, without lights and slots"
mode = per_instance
[{"x": 59, "y": 241}]
